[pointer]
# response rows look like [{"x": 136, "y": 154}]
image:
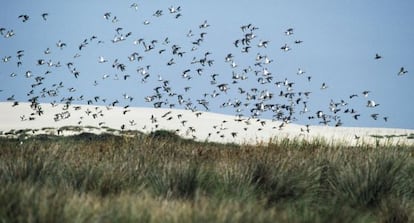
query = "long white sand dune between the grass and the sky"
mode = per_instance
[{"x": 202, "y": 126}]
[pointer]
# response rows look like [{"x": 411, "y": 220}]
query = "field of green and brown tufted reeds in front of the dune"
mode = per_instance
[{"x": 162, "y": 178}]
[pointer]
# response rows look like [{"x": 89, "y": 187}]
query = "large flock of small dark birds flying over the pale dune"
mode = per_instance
[{"x": 259, "y": 90}]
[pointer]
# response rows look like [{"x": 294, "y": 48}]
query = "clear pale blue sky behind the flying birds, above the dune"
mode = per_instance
[{"x": 340, "y": 41}]
